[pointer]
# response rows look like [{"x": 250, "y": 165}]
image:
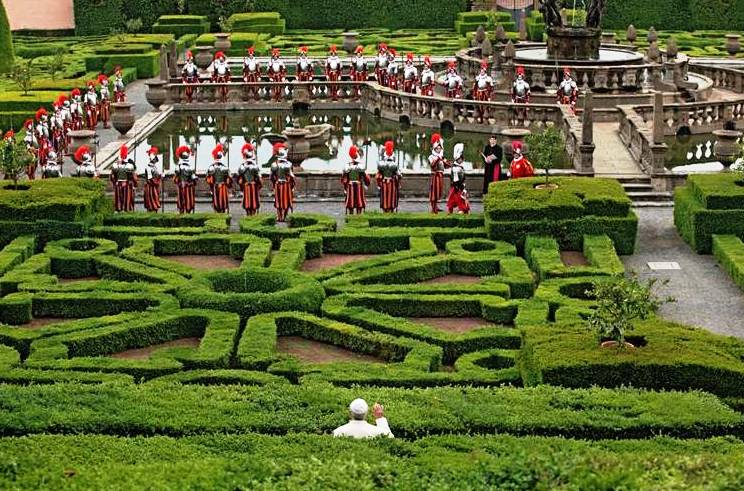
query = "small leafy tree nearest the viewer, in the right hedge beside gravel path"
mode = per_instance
[{"x": 620, "y": 303}]
